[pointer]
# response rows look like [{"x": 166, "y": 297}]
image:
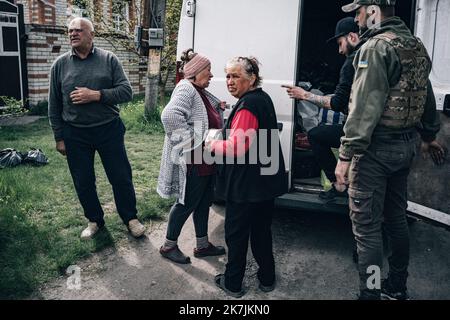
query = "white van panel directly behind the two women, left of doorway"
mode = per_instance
[{"x": 265, "y": 29}]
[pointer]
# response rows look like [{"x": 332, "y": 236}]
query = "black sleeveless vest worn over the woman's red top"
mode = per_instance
[{"x": 246, "y": 181}]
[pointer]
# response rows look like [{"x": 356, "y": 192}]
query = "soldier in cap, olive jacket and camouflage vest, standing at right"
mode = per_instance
[{"x": 391, "y": 98}]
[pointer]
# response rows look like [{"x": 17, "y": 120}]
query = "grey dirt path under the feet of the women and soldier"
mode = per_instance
[{"x": 313, "y": 254}]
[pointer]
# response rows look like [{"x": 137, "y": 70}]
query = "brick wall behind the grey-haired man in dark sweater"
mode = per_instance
[{"x": 47, "y": 39}]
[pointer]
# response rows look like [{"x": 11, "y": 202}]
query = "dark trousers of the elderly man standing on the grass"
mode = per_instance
[{"x": 108, "y": 141}]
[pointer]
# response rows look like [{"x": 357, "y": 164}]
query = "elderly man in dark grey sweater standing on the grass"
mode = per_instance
[{"x": 86, "y": 85}]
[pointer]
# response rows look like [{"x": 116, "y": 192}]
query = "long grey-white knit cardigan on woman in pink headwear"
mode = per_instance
[{"x": 185, "y": 123}]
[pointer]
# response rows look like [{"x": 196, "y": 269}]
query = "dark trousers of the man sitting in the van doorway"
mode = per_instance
[{"x": 322, "y": 139}]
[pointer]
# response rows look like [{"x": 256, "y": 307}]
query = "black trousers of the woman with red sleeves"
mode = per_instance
[{"x": 244, "y": 221}]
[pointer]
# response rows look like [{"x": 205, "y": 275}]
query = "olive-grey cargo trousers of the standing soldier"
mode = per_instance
[{"x": 378, "y": 198}]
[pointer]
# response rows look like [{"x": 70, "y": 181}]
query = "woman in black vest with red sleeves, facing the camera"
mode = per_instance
[{"x": 252, "y": 176}]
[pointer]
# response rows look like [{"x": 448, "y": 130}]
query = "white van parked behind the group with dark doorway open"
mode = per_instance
[{"x": 269, "y": 30}]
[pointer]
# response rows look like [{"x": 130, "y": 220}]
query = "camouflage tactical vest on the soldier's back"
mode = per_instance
[{"x": 406, "y": 100}]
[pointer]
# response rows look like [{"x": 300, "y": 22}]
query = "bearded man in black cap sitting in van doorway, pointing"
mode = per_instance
[{"x": 325, "y": 137}]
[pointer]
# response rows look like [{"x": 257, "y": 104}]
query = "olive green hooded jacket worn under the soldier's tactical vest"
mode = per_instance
[{"x": 377, "y": 70}]
